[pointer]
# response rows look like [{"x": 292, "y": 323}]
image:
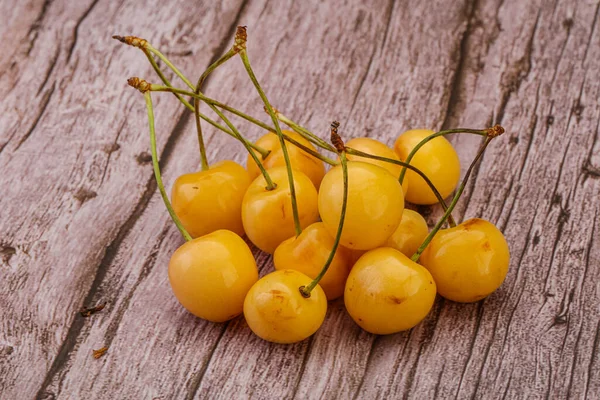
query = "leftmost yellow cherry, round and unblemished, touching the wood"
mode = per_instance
[{"x": 211, "y": 275}]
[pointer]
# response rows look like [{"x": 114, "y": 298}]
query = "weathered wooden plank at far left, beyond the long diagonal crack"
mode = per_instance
[{"x": 71, "y": 158}]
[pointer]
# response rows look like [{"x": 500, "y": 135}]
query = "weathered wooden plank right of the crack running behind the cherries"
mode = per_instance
[{"x": 536, "y": 336}]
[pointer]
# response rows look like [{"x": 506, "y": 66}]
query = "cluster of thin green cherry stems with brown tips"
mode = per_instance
[{"x": 259, "y": 154}]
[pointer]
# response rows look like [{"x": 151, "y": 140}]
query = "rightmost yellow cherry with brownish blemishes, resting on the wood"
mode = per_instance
[{"x": 469, "y": 261}]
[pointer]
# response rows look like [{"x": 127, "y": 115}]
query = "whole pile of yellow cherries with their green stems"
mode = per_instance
[{"x": 337, "y": 231}]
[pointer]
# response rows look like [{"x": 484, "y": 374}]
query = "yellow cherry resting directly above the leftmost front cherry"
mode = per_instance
[{"x": 206, "y": 201}]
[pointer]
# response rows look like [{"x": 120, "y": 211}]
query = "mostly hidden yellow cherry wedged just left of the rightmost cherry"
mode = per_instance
[{"x": 410, "y": 234}]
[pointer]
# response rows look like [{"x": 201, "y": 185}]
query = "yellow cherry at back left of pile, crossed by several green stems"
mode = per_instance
[{"x": 299, "y": 159}]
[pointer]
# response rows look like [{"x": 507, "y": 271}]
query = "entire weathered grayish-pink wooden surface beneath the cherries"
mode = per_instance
[{"x": 81, "y": 221}]
